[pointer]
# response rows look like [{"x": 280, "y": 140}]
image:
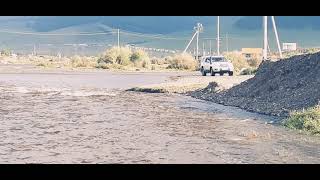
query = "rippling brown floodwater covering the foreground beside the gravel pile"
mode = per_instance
[{"x": 75, "y": 118}]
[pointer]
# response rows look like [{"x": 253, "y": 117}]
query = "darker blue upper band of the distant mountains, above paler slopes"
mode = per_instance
[{"x": 153, "y": 24}]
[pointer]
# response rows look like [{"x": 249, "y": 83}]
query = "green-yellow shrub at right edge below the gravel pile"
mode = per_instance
[{"x": 305, "y": 120}]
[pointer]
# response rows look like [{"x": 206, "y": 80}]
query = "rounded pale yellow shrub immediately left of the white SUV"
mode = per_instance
[{"x": 183, "y": 61}]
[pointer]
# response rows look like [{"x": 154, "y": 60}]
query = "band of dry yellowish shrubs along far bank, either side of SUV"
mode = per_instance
[{"x": 124, "y": 58}]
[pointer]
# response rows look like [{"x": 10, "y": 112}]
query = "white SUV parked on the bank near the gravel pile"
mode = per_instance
[{"x": 215, "y": 64}]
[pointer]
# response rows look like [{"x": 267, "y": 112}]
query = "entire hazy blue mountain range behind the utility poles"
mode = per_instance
[{"x": 244, "y": 31}]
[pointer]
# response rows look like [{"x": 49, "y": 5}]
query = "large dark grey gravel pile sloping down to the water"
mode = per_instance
[{"x": 277, "y": 88}]
